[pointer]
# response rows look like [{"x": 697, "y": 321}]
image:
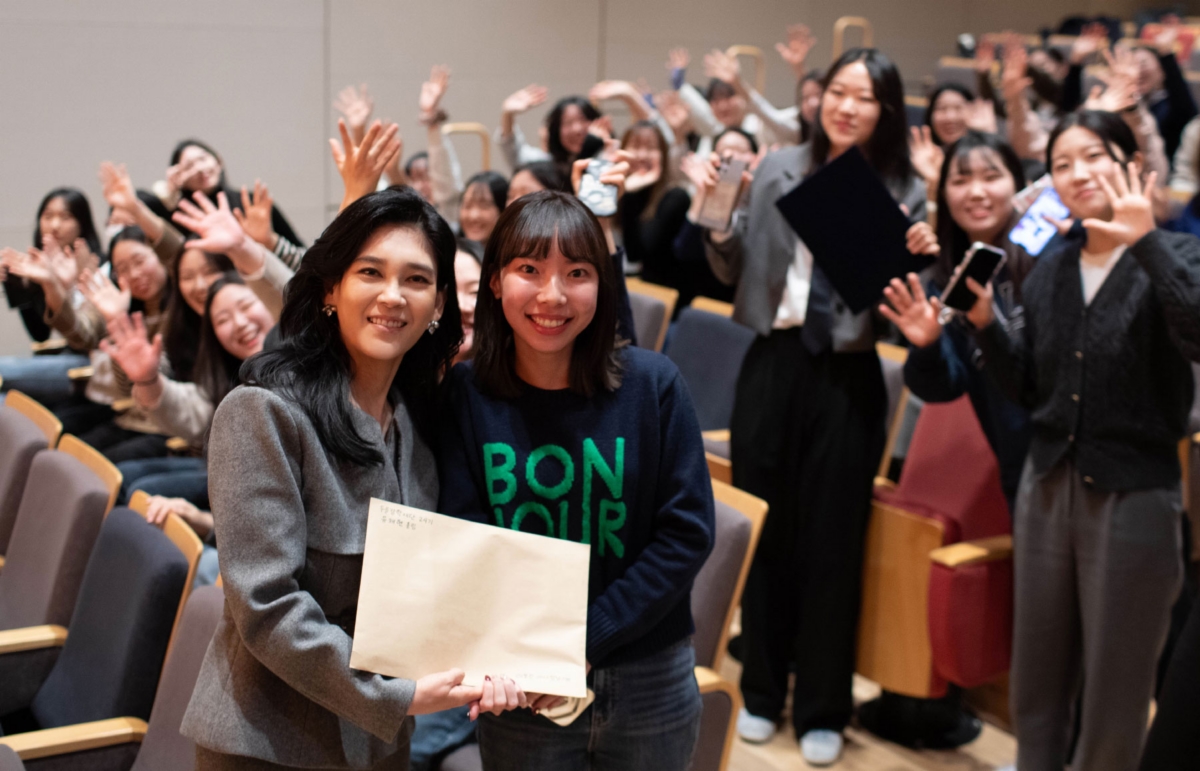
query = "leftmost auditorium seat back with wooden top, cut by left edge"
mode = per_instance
[{"x": 26, "y": 428}]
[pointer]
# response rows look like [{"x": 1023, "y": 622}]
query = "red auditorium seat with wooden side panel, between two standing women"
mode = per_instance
[{"x": 938, "y": 585}]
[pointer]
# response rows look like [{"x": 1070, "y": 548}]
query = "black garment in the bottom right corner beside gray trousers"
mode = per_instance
[{"x": 1174, "y": 743}]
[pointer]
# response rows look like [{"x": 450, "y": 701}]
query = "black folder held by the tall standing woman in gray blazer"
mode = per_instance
[{"x": 854, "y": 228}]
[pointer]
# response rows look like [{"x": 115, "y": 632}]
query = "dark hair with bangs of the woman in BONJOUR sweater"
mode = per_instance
[{"x": 531, "y": 228}]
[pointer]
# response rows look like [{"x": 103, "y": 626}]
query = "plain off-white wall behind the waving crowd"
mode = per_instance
[{"x": 85, "y": 81}]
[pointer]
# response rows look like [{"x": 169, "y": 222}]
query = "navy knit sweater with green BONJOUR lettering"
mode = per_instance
[{"x": 623, "y": 471}]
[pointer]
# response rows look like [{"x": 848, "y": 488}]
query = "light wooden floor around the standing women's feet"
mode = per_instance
[{"x": 866, "y": 752}]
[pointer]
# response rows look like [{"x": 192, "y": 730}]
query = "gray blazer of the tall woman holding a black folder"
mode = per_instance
[{"x": 757, "y": 258}]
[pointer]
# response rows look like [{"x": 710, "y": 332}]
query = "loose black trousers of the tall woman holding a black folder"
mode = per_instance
[{"x": 807, "y": 435}]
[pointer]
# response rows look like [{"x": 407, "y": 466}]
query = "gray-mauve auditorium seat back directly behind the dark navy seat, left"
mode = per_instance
[{"x": 61, "y": 513}]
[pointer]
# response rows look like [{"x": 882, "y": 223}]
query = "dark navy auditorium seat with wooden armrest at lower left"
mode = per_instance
[{"x": 109, "y": 662}]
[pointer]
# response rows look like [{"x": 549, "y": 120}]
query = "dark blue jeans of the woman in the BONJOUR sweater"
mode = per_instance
[{"x": 646, "y": 716}]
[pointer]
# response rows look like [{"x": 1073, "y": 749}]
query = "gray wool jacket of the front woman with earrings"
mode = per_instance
[{"x": 291, "y": 524}]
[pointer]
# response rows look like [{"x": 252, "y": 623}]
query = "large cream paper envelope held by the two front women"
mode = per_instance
[{"x": 445, "y": 594}]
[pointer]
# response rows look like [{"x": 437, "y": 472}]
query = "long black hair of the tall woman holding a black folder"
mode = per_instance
[{"x": 887, "y": 151}]
